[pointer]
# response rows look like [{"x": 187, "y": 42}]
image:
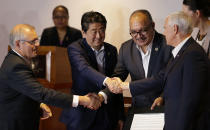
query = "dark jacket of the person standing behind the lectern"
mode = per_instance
[{"x": 50, "y": 37}]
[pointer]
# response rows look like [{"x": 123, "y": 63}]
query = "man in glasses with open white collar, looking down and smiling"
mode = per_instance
[{"x": 142, "y": 56}]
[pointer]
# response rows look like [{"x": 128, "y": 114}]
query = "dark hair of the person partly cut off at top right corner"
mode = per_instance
[{"x": 202, "y": 5}]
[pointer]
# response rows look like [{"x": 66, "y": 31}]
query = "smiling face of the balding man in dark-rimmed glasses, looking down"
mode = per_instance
[{"x": 141, "y": 29}]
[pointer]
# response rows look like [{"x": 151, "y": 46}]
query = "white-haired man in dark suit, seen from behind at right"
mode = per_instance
[{"x": 184, "y": 81}]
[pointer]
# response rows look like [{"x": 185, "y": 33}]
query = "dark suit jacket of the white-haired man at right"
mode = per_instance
[{"x": 186, "y": 89}]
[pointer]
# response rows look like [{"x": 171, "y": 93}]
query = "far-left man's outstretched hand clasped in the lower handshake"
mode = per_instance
[{"x": 91, "y": 101}]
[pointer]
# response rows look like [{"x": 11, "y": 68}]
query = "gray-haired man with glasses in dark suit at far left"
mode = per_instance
[{"x": 20, "y": 93}]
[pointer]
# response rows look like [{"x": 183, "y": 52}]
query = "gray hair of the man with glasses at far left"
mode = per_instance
[{"x": 18, "y": 33}]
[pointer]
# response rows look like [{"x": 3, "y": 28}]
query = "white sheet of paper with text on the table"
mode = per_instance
[{"x": 148, "y": 121}]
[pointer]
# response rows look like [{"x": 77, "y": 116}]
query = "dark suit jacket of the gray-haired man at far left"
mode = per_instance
[{"x": 21, "y": 94}]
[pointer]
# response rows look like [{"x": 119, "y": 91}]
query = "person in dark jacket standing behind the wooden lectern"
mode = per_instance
[{"x": 61, "y": 34}]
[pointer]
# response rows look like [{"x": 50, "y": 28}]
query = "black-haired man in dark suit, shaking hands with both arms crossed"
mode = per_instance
[{"x": 91, "y": 59}]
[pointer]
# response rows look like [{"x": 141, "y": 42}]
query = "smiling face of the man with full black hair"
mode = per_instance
[{"x": 95, "y": 35}]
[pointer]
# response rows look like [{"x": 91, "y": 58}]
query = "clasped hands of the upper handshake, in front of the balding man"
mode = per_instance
[{"x": 115, "y": 85}]
